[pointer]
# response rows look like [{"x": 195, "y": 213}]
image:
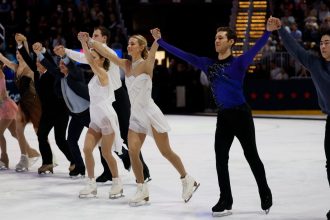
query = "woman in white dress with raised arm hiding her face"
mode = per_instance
[{"x": 104, "y": 126}]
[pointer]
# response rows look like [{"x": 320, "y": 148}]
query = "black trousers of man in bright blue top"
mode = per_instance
[{"x": 237, "y": 122}]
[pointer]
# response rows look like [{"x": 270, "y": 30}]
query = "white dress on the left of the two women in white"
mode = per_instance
[{"x": 103, "y": 116}]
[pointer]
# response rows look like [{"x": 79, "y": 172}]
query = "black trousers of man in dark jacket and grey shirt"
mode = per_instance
[{"x": 76, "y": 126}]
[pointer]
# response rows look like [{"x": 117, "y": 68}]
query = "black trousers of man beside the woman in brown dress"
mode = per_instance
[{"x": 59, "y": 122}]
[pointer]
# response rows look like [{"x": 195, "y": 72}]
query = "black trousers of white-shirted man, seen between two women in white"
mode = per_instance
[{"x": 122, "y": 107}]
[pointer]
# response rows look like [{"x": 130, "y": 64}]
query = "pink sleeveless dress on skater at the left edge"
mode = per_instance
[{"x": 8, "y": 108}]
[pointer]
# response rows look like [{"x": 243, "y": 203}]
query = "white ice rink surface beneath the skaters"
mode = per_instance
[{"x": 292, "y": 152}]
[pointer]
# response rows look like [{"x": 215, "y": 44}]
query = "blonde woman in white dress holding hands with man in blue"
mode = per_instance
[{"x": 146, "y": 118}]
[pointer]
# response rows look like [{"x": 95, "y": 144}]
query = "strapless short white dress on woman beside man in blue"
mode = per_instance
[{"x": 144, "y": 112}]
